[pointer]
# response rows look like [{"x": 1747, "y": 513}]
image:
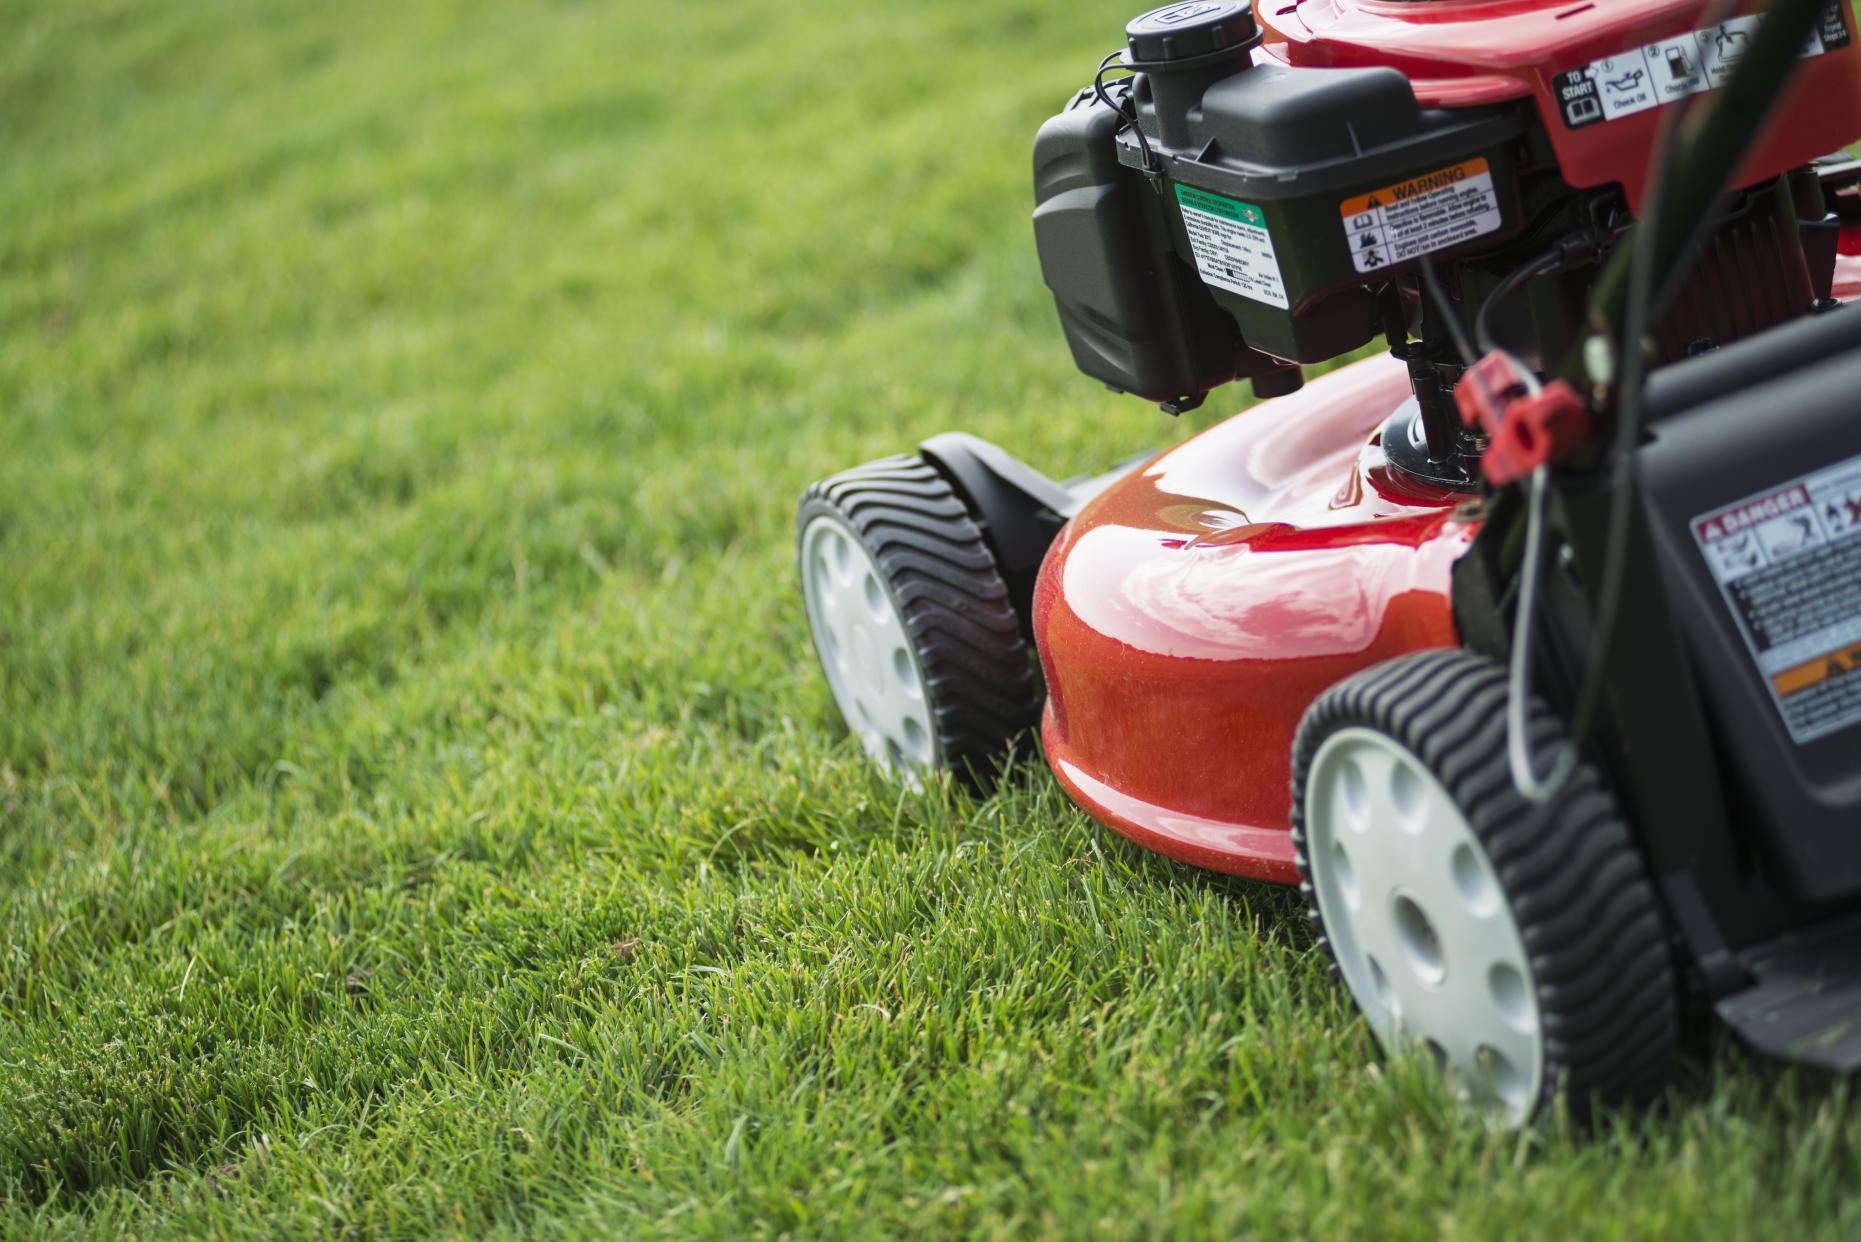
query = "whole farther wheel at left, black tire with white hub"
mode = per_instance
[{"x": 913, "y": 621}]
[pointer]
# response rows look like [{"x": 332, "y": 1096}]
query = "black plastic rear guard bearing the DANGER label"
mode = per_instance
[{"x": 1793, "y": 781}]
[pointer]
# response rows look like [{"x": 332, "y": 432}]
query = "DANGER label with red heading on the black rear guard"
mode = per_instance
[{"x": 1789, "y": 563}]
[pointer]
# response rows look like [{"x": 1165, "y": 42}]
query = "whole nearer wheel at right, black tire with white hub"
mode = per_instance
[{"x": 1520, "y": 947}]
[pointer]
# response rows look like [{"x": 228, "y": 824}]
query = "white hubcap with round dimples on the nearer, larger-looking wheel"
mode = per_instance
[{"x": 1419, "y": 925}]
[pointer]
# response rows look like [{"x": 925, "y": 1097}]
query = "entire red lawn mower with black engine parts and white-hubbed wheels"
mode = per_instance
[{"x": 1533, "y": 647}]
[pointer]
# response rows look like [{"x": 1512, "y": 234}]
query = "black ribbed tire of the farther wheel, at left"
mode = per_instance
[{"x": 976, "y": 679}]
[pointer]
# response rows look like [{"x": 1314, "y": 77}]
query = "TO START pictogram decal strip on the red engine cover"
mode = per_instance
[{"x": 1668, "y": 70}]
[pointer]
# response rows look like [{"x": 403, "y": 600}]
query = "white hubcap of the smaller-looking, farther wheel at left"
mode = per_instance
[{"x": 866, "y": 649}]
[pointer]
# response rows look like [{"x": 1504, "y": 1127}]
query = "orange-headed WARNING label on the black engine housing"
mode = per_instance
[{"x": 1421, "y": 217}]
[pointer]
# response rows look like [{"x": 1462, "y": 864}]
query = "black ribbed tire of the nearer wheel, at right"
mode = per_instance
[{"x": 1570, "y": 874}]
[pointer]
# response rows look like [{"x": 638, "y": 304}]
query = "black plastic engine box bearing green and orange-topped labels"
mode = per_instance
[{"x": 1330, "y": 182}]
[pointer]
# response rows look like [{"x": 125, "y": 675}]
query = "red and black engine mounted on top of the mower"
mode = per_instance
[{"x": 1259, "y": 195}]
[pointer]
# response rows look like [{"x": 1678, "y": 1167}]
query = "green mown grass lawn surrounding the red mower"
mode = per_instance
[{"x": 420, "y": 811}]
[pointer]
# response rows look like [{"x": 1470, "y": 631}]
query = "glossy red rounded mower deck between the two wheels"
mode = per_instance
[{"x": 1192, "y": 614}]
